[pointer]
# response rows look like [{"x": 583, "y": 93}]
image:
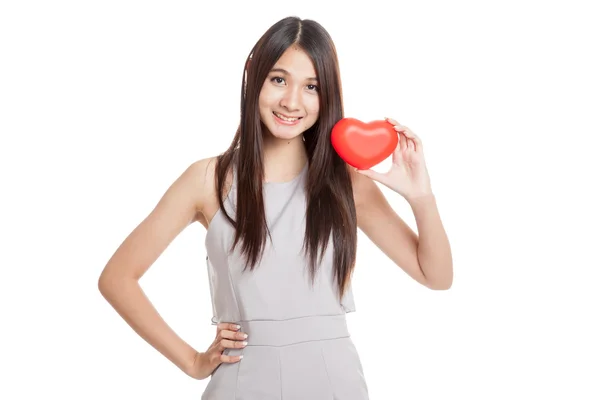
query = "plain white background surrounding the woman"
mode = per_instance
[{"x": 104, "y": 104}]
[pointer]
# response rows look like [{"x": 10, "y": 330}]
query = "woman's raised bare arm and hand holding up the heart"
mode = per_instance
[{"x": 427, "y": 258}]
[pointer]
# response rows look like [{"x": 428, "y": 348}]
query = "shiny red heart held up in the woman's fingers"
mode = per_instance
[{"x": 363, "y": 145}]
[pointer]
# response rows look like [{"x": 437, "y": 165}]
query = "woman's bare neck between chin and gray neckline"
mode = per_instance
[{"x": 283, "y": 159}]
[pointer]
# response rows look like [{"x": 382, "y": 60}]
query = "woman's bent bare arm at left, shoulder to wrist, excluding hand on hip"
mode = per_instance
[{"x": 180, "y": 205}]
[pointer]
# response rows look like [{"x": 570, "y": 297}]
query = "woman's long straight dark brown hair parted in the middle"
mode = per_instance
[{"x": 330, "y": 203}]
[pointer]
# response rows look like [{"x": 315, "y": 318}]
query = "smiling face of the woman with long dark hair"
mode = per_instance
[{"x": 289, "y": 98}]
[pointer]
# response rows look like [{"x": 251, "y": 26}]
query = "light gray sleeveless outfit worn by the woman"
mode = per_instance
[{"x": 299, "y": 347}]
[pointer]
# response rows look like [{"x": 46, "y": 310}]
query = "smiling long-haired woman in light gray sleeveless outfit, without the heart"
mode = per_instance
[{"x": 281, "y": 210}]
